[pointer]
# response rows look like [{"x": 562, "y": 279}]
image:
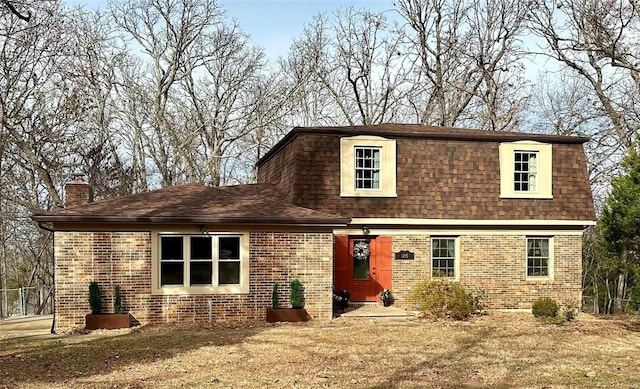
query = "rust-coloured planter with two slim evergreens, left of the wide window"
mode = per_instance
[{"x": 95, "y": 320}]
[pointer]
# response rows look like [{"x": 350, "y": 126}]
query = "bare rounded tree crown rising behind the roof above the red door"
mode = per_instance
[{"x": 349, "y": 69}]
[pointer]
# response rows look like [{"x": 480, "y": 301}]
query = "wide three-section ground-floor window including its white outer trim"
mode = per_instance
[{"x": 200, "y": 264}]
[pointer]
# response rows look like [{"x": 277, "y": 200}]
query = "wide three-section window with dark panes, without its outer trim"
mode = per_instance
[{"x": 197, "y": 260}]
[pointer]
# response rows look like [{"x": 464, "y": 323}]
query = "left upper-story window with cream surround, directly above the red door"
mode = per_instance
[{"x": 367, "y": 167}]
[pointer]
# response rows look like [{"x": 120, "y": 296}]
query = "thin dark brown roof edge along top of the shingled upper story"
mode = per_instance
[{"x": 397, "y": 130}]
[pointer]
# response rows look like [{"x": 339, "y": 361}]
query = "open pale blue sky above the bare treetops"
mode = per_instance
[{"x": 273, "y": 24}]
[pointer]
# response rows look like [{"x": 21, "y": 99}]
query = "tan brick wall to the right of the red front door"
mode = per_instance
[{"x": 496, "y": 264}]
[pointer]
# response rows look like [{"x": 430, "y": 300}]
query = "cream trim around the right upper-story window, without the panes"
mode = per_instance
[{"x": 544, "y": 189}]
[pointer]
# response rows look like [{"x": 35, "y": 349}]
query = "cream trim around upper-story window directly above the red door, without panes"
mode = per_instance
[{"x": 387, "y": 166}]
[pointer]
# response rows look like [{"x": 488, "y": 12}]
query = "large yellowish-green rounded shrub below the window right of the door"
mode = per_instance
[{"x": 446, "y": 299}]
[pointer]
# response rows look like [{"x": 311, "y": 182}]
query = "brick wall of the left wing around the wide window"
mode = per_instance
[{"x": 124, "y": 258}]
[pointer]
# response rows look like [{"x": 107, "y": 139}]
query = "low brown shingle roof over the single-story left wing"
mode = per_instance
[{"x": 257, "y": 204}]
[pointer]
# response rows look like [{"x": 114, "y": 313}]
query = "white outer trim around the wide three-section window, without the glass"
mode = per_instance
[{"x": 158, "y": 289}]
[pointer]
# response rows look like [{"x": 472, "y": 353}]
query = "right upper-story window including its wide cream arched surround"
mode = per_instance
[{"x": 526, "y": 170}]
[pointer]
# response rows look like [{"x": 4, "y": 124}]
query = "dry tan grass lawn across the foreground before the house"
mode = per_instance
[{"x": 500, "y": 350}]
